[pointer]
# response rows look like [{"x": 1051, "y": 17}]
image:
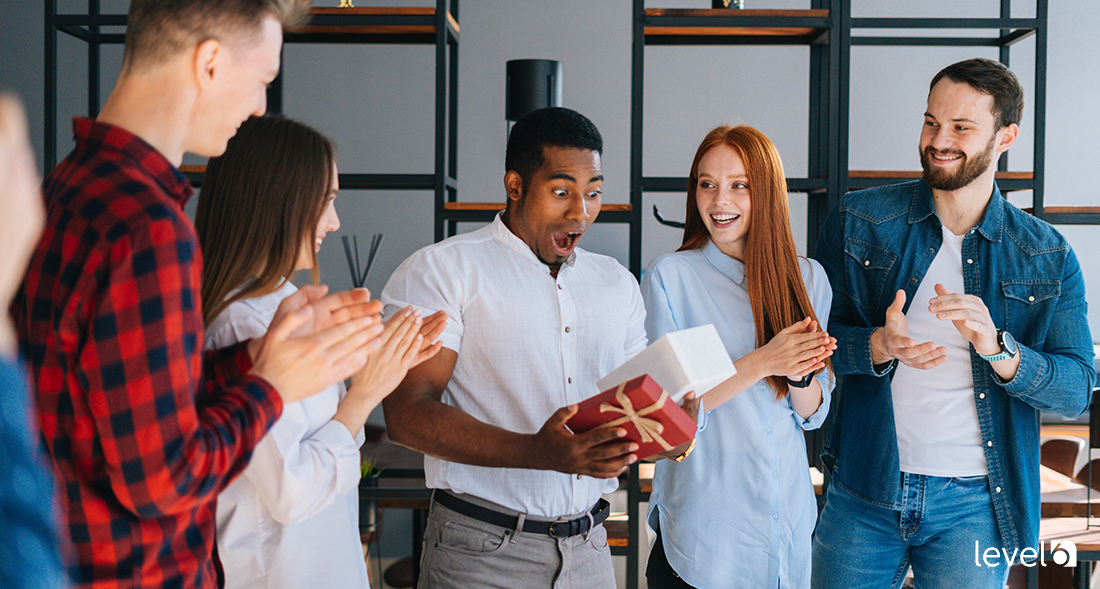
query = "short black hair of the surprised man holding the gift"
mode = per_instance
[{"x": 548, "y": 127}]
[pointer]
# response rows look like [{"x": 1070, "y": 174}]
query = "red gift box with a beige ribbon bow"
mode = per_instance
[{"x": 644, "y": 410}]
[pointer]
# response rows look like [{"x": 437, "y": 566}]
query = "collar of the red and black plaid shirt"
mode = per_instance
[{"x": 95, "y": 136}]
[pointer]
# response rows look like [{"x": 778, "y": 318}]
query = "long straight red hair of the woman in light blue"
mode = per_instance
[{"x": 777, "y": 294}]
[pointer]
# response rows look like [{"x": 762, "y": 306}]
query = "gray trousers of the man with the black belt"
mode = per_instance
[{"x": 464, "y": 553}]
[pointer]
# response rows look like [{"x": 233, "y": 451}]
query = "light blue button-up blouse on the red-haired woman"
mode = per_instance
[{"x": 741, "y": 510}]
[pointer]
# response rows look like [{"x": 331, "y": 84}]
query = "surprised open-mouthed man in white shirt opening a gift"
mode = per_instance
[{"x": 534, "y": 323}]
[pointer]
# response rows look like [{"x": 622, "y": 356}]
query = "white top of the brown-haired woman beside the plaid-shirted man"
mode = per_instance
[{"x": 292, "y": 519}]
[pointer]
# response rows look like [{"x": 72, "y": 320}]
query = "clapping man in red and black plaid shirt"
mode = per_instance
[{"x": 145, "y": 430}]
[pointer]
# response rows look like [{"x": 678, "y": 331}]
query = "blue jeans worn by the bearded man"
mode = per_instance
[{"x": 933, "y": 527}]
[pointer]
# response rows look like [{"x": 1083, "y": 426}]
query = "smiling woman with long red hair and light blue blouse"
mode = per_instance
[{"x": 740, "y": 510}]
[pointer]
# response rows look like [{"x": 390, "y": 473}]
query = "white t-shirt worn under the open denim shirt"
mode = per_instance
[{"x": 934, "y": 410}]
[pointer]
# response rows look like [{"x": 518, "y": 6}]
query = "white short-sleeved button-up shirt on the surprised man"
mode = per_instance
[{"x": 527, "y": 344}]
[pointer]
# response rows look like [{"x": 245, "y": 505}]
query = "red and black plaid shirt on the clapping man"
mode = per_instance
[{"x": 145, "y": 430}]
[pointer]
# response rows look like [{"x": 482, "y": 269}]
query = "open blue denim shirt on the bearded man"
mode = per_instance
[{"x": 881, "y": 241}]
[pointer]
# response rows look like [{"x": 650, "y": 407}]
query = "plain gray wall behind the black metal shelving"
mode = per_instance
[{"x": 377, "y": 103}]
